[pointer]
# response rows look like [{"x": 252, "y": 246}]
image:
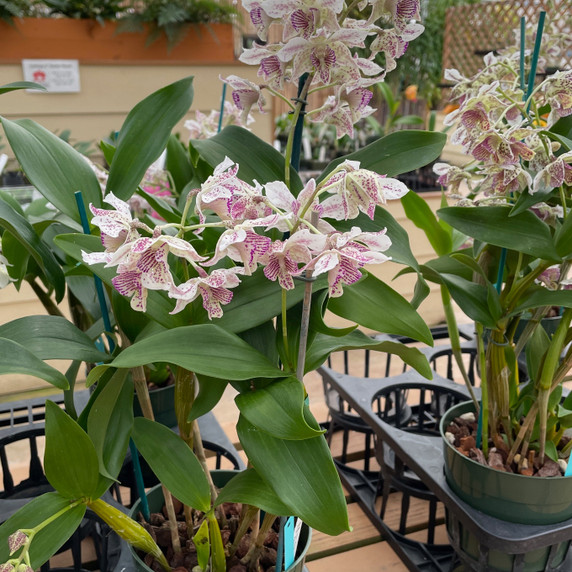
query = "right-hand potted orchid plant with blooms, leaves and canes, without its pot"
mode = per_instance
[{"x": 505, "y": 247}]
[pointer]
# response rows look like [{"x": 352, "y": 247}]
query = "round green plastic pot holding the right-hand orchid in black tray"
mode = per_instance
[{"x": 506, "y": 496}]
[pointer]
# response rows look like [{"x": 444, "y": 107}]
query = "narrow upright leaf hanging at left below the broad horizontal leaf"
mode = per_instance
[{"x": 109, "y": 425}]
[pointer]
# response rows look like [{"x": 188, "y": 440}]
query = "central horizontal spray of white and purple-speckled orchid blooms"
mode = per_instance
[{"x": 243, "y": 212}]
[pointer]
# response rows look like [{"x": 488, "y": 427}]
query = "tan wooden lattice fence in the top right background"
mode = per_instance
[{"x": 471, "y": 31}]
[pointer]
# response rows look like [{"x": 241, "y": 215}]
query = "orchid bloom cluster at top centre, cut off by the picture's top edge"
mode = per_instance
[{"x": 317, "y": 40}]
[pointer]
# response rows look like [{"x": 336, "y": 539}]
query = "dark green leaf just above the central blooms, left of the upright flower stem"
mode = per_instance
[{"x": 256, "y": 159}]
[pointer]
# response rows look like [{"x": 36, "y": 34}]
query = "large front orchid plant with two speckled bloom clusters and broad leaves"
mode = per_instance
[{"x": 231, "y": 286}]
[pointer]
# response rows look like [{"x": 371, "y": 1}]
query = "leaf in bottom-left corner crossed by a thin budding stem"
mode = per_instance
[{"x": 49, "y": 540}]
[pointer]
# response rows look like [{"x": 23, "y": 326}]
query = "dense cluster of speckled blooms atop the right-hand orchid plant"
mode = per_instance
[{"x": 503, "y": 128}]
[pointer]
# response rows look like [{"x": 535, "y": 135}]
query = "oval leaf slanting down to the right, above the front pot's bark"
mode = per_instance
[{"x": 171, "y": 459}]
